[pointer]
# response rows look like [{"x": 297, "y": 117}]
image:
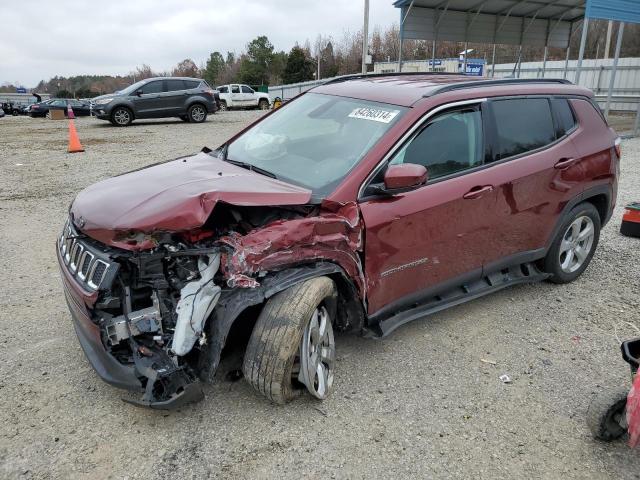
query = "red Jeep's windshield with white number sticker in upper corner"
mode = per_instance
[{"x": 316, "y": 140}]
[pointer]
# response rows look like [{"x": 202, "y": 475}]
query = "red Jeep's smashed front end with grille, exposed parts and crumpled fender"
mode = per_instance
[{"x": 153, "y": 317}]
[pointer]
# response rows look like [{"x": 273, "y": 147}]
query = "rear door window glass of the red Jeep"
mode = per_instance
[{"x": 522, "y": 125}]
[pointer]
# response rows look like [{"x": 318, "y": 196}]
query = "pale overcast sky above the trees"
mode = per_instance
[{"x": 44, "y": 38}]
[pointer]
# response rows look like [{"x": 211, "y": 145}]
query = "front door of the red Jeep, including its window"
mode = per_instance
[{"x": 434, "y": 235}]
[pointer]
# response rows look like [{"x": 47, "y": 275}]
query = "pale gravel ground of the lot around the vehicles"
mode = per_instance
[{"x": 417, "y": 404}]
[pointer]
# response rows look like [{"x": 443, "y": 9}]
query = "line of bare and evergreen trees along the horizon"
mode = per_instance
[{"x": 260, "y": 63}]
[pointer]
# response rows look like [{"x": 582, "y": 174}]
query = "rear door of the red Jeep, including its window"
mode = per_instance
[{"x": 535, "y": 171}]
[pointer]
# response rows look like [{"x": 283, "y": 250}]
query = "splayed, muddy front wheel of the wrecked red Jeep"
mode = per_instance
[{"x": 292, "y": 344}]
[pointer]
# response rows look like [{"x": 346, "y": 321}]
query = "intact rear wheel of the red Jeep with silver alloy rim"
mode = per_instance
[{"x": 569, "y": 256}]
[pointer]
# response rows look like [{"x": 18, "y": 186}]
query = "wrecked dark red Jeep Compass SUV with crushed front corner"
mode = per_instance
[{"x": 363, "y": 204}]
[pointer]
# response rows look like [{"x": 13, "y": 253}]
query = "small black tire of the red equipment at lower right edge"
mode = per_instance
[{"x": 603, "y": 415}]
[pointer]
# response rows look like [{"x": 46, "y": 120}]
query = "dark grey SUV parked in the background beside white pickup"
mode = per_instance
[{"x": 190, "y": 99}]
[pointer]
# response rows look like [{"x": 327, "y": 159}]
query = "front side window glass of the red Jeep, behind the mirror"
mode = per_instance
[{"x": 449, "y": 143}]
